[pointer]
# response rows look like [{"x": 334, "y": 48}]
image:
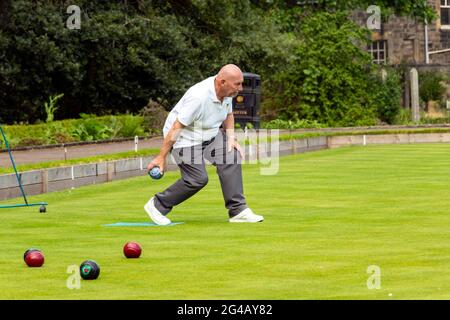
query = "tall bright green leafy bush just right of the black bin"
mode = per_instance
[{"x": 331, "y": 78}]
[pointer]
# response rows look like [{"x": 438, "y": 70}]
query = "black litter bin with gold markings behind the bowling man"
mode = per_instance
[{"x": 246, "y": 104}]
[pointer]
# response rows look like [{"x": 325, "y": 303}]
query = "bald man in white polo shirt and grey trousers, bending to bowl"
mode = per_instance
[{"x": 192, "y": 133}]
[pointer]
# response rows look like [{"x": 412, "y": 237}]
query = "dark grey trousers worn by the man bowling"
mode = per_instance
[{"x": 191, "y": 161}]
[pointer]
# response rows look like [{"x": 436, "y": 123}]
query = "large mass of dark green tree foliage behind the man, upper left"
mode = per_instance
[{"x": 125, "y": 53}]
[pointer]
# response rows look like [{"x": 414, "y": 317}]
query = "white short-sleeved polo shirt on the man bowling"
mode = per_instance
[{"x": 201, "y": 112}]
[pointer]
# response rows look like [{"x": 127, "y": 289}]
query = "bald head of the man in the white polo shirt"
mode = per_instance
[{"x": 228, "y": 81}]
